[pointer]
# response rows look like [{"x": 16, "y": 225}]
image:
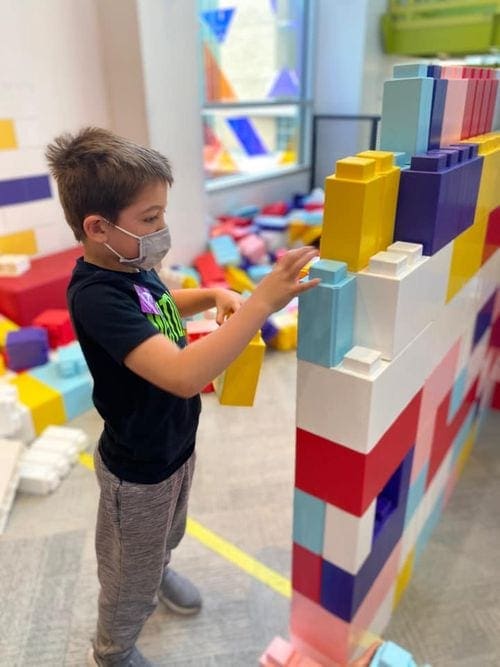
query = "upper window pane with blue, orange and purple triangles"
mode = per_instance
[{"x": 252, "y": 49}]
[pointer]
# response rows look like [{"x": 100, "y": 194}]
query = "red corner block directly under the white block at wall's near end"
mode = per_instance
[{"x": 346, "y": 478}]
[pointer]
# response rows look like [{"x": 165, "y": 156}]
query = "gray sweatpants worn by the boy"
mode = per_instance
[{"x": 137, "y": 527}]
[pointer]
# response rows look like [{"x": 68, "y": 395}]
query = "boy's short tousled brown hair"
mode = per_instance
[{"x": 99, "y": 172}]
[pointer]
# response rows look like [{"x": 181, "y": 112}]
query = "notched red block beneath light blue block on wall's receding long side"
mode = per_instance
[{"x": 444, "y": 432}]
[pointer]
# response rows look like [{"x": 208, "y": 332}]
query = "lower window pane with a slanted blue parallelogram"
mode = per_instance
[{"x": 250, "y": 141}]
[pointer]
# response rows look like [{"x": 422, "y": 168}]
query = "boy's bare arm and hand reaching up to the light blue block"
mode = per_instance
[{"x": 186, "y": 371}]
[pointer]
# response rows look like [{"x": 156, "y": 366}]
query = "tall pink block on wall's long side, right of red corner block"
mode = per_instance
[{"x": 435, "y": 389}]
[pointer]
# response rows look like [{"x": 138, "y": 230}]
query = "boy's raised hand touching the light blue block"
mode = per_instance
[{"x": 282, "y": 284}]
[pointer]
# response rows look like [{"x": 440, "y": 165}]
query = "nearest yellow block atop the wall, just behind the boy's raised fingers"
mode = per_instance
[{"x": 352, "y": 217}]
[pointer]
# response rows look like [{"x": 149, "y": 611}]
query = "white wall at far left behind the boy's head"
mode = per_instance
[{"x": 51, "y": 81}]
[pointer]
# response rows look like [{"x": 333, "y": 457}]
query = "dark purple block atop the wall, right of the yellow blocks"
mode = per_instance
[{"x": 437, "y": 197}]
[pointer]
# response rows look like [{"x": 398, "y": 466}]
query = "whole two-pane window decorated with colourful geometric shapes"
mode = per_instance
[{"x": 256, "y": 109}]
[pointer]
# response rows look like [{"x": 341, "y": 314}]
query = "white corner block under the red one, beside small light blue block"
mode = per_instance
[{"x": 348, "y": 538}]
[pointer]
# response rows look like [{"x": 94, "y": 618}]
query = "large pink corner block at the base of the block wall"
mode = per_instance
[{"x": 328, "y": 638}]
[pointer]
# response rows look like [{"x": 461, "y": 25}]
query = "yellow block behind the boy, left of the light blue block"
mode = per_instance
[{"x": 46, "y": 404}]
